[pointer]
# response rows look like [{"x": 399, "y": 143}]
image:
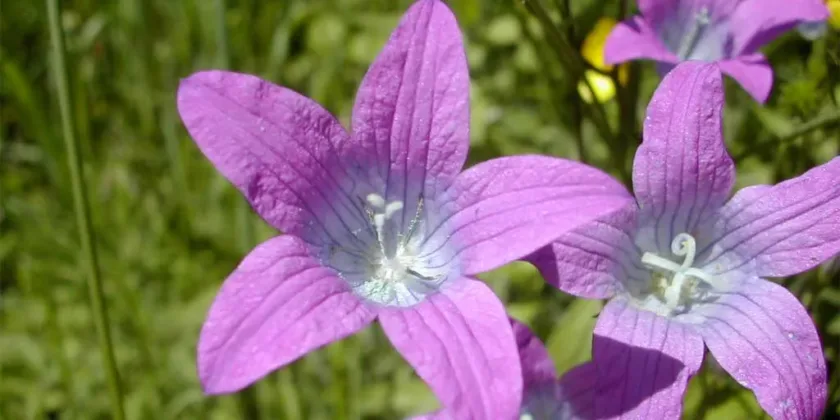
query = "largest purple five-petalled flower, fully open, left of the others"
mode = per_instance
[{"x": 381, "y": 222}]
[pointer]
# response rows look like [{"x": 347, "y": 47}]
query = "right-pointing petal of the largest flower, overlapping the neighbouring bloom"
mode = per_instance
[{"x": 509, "y": 207}]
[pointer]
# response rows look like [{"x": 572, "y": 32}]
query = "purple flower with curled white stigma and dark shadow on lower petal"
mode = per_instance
[{"x": 684, "y": 267}]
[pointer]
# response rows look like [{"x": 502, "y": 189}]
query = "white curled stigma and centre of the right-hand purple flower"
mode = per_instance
[{"x": 678, "y": 286}]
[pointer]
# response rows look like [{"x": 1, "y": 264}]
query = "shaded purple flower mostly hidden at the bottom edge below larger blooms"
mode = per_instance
[{"x": 544, "y": 397}]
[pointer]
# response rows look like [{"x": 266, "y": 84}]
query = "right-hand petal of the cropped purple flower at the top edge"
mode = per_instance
[{"x": 757, "y": 22}]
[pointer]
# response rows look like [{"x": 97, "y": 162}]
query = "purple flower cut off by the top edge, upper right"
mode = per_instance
[{"x": 729, "y": 32}]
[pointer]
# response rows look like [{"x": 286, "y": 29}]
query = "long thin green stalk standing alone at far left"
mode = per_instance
[{"x": 82, "y": 210}]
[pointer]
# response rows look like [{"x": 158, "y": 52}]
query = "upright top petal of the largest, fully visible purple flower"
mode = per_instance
[{"x": 412, "y": 110}]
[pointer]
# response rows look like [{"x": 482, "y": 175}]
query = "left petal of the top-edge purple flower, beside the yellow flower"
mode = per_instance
[{"x": 634, "y": 39}]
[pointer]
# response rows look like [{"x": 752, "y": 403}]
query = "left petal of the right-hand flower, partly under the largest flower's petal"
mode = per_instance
[{"x": 593, "y": 261}]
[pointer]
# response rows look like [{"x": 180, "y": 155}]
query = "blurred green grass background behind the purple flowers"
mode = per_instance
[{"x": 169, "y": 228}]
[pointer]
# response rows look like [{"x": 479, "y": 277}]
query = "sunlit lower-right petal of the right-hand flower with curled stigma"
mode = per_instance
[{"x": 765, "y": 339}]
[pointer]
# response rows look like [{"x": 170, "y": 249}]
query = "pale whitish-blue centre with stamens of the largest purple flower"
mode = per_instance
[{"x": 394, "y": 268}]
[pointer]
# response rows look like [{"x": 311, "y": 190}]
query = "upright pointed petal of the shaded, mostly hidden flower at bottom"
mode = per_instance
[{"x": 537, "y": 366}]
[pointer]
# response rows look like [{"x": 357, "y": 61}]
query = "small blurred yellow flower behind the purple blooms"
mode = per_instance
[{"x": 592, "y": 51}]
